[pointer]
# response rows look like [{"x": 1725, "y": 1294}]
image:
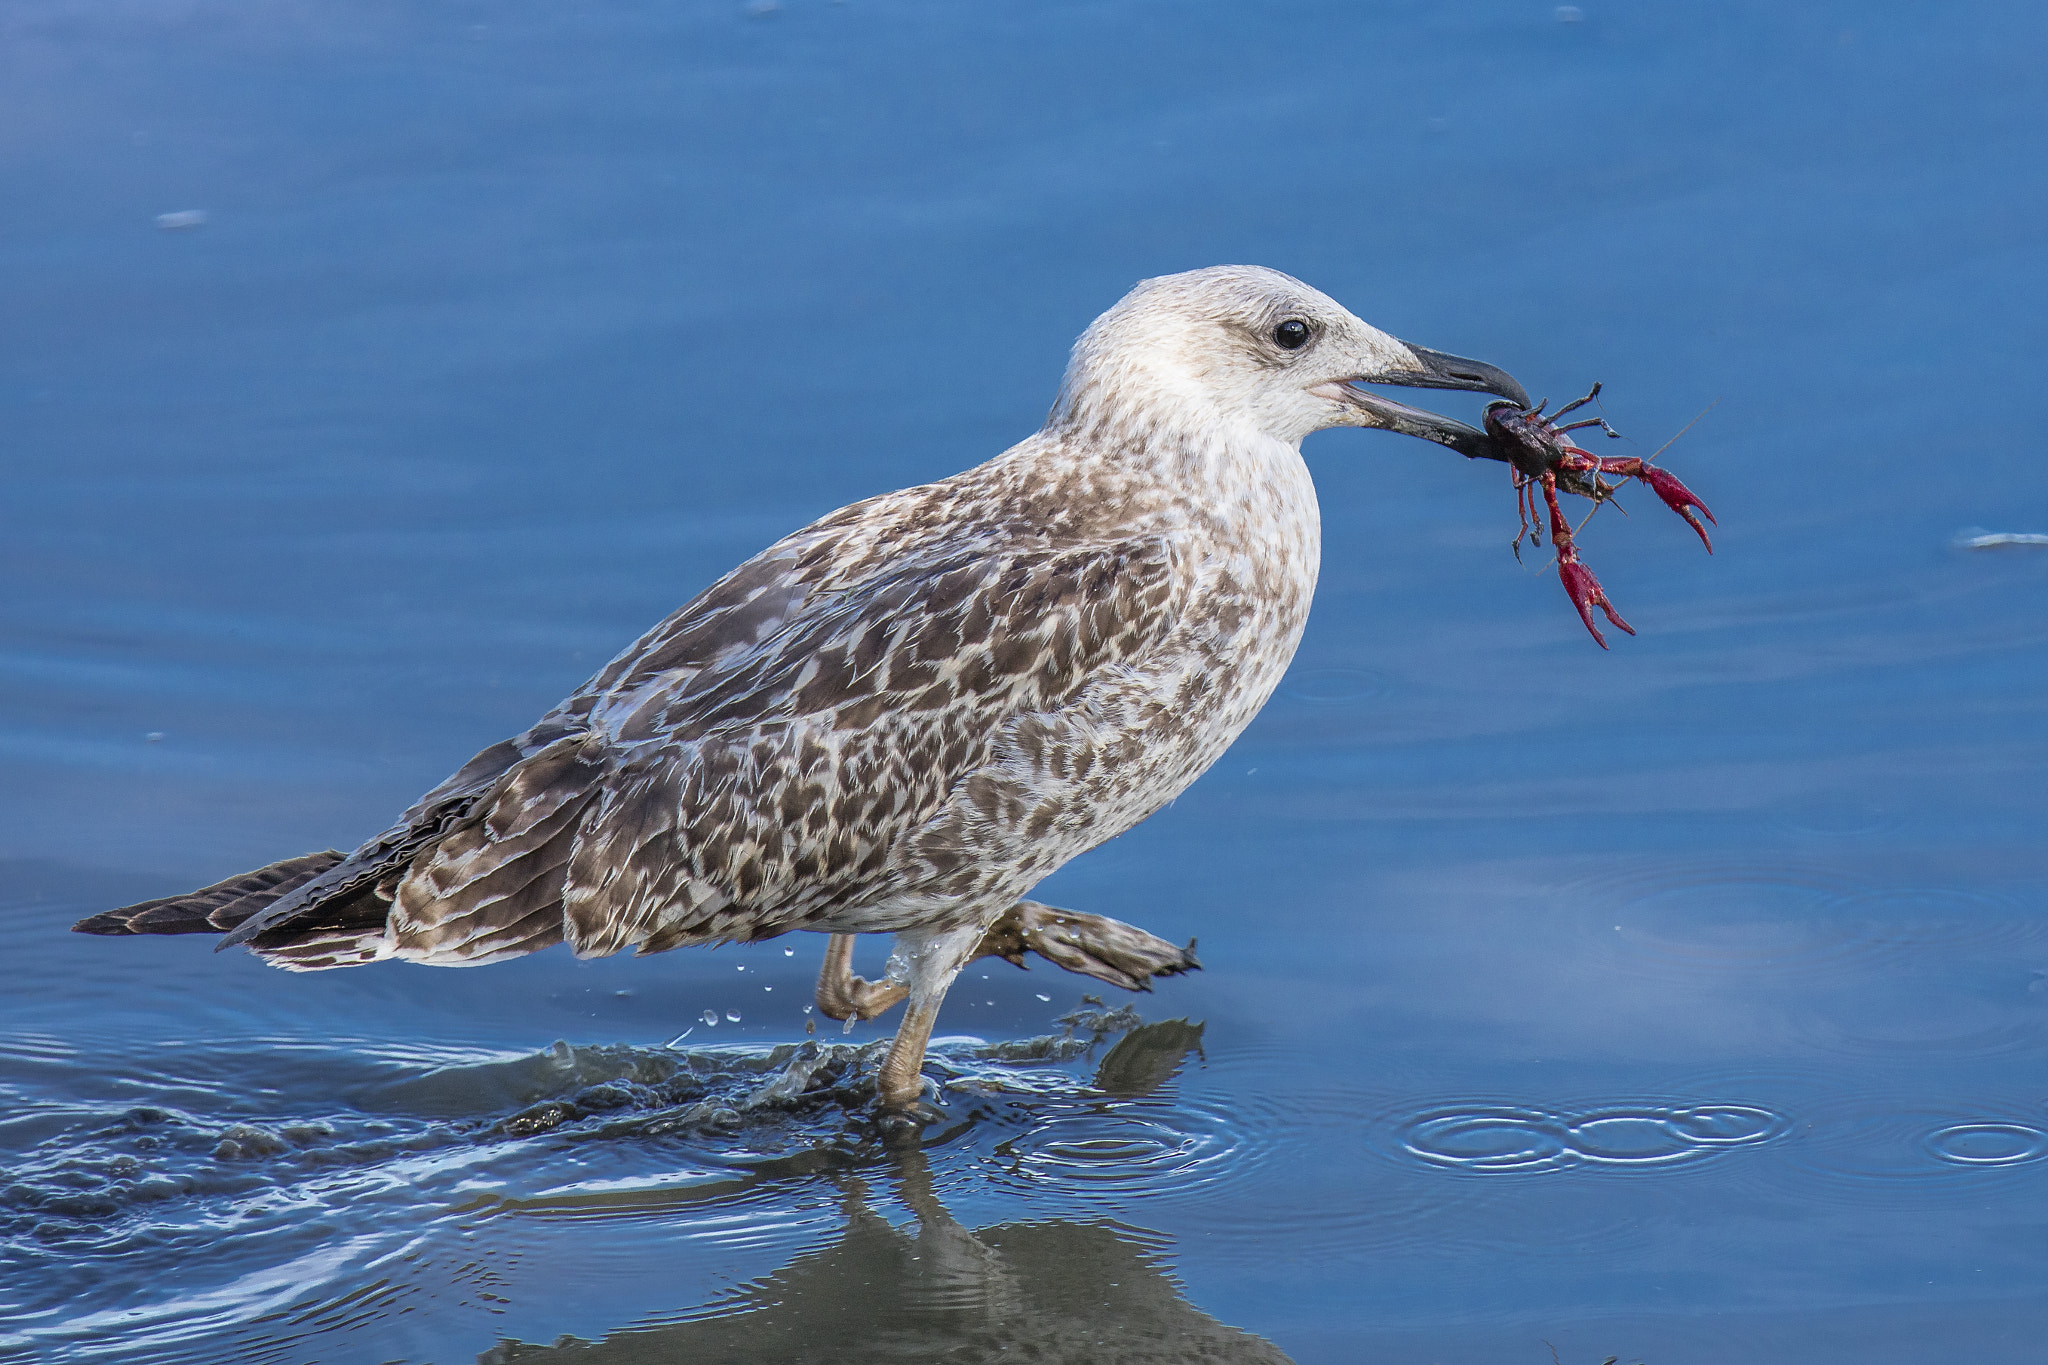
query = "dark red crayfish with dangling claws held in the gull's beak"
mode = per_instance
[{"x": 1545, "y": 459}]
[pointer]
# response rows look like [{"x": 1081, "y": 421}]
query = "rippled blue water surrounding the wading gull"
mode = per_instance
[{"x": 1680, "y": 1004}]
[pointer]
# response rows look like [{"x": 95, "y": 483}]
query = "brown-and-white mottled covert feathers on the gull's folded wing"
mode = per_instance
[{"x": 757, "y": 795}]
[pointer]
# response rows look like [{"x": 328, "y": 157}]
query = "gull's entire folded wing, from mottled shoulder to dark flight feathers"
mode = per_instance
[{"x": 761, "y": 754}]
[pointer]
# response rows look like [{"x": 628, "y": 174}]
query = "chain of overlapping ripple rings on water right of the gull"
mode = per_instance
[{"x": 1523, "y": 1141}]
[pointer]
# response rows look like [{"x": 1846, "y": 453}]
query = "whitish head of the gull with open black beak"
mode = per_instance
[{"x": 1256, "y": 351}]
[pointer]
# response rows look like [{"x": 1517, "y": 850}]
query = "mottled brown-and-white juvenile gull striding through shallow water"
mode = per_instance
[{"x": 908, "y": 713}]
